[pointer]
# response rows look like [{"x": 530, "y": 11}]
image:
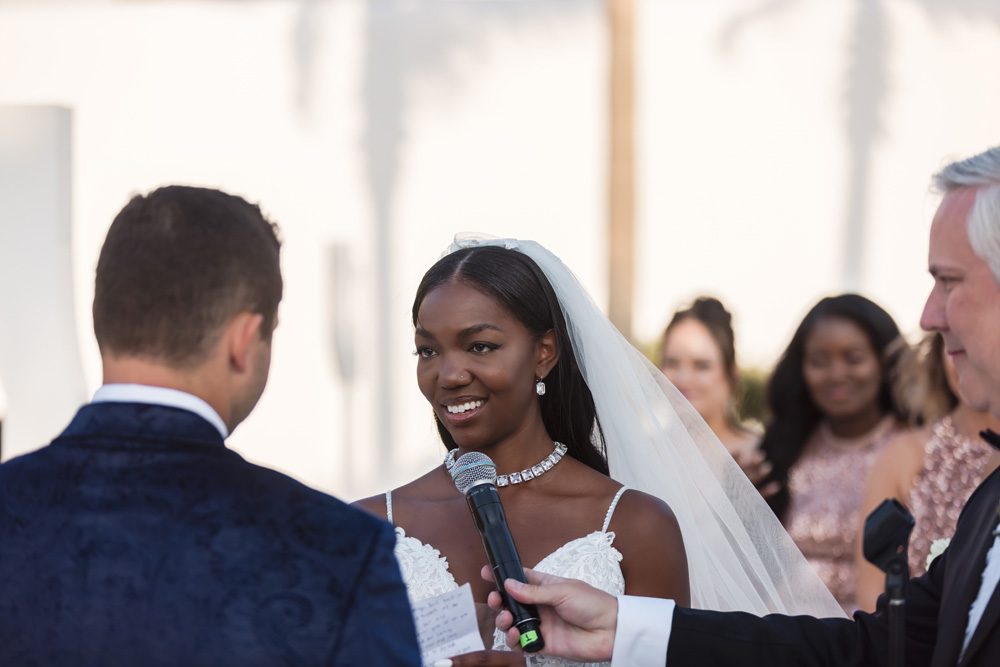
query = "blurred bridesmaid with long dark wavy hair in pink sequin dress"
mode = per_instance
[{"x": 833, "y": 409}]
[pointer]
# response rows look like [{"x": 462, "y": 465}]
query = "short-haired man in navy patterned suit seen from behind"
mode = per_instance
[{"x": 136, "y": 537}]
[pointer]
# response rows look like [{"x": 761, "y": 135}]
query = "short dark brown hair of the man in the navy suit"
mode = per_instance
[{"x": 176, "y": 266}]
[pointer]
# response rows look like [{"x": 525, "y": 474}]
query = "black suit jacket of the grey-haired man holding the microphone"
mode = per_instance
[{"x": 937, "y": 612}]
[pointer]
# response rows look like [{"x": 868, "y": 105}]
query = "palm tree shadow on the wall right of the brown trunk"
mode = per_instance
[{"x": 867, "y": 85}]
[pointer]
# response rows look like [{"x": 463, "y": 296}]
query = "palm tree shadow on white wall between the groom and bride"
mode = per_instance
[{"x": 410, "y": 45}]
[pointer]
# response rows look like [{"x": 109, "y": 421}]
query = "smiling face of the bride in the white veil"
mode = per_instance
[{"x": 476, "y": 366}]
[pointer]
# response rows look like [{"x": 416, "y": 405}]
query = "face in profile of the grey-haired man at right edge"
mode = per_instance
[{"x": 964, "y": 304}]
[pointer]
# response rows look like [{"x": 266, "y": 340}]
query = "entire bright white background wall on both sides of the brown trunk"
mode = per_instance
[{"x": 381, "y": 129}]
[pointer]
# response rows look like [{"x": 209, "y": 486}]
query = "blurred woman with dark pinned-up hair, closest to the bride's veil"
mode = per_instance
[{"x": 698, "y": 355}]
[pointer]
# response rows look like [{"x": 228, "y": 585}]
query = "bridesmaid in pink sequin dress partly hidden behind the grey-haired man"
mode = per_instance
[{"x": 933, "y": 470}]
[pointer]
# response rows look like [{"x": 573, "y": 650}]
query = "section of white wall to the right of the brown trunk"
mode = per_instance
[{"x": 772, "y": 130}]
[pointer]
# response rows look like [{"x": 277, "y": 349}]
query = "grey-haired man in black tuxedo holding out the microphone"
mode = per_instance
[{"x": 952, "y": 612}]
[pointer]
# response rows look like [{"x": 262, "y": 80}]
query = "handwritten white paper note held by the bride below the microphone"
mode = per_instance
[{"x": 446, "y": 625}]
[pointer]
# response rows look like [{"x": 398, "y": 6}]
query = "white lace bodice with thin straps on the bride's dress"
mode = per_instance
[{"x": 591, "y": 558}]
